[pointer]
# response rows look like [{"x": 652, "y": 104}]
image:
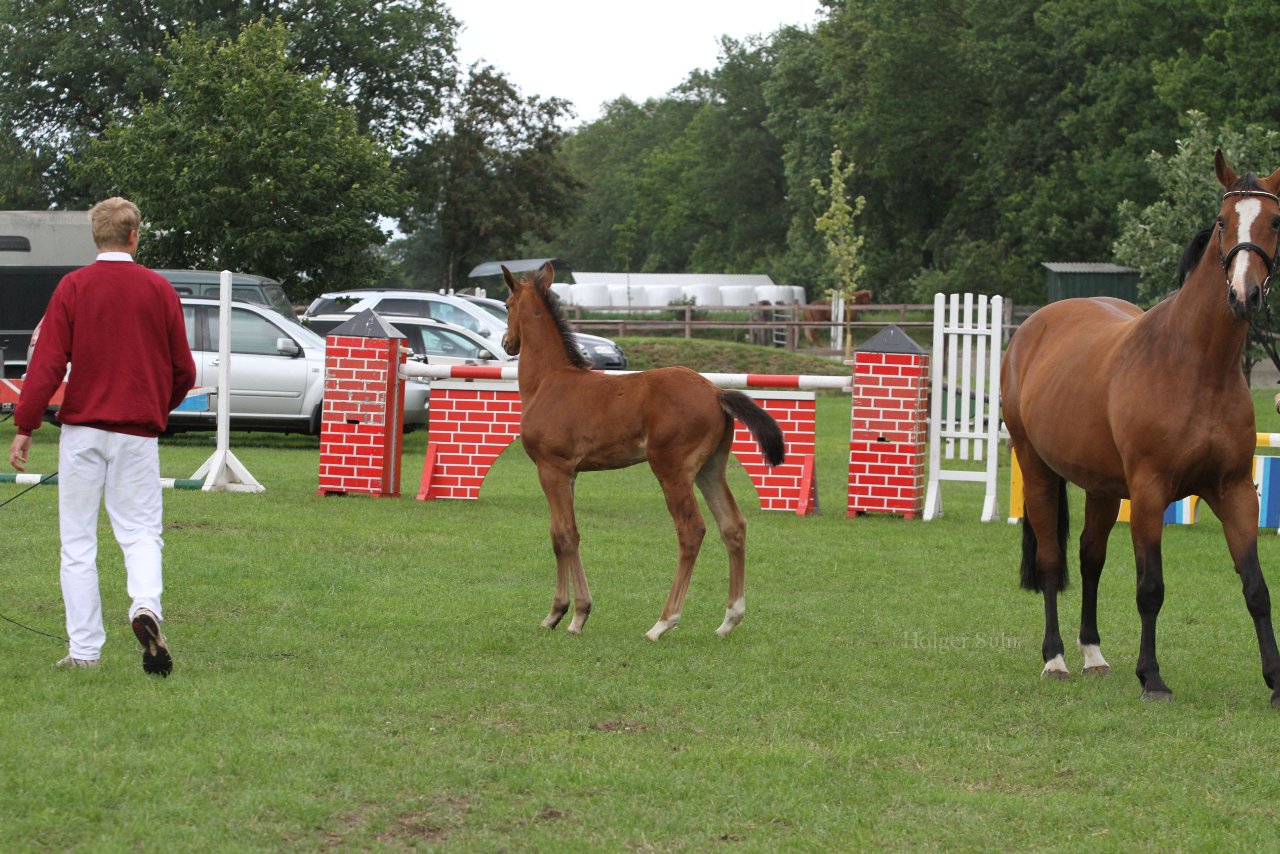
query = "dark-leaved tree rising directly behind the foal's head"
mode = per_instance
[{"x": 488, "y": 182}]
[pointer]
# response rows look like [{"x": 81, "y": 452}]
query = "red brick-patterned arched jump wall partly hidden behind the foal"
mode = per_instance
[{"x": 474, "y": 423}]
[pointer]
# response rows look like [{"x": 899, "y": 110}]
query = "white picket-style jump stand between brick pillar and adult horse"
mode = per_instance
[{"x": 964, "y": 412}]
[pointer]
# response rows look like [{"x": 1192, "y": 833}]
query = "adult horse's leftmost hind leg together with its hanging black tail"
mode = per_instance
[{"x": 1046, "y": 508}]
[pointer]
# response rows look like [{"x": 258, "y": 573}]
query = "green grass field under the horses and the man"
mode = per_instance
[{"x": 360, "y": 674}]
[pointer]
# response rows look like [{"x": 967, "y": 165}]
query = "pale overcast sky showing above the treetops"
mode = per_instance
[{"x": 592, "y": 52}]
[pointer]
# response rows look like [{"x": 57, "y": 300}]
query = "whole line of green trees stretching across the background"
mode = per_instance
[{"x": 988, "y": 136}]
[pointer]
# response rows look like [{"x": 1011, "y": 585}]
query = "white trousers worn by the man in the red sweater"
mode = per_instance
[{"x": 126, "y": 471}]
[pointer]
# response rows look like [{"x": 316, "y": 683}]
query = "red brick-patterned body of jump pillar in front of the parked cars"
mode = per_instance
[{"x": 363, "y": 417}]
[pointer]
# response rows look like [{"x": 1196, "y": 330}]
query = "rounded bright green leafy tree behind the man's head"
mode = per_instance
[{"x": 245, "y": 163}]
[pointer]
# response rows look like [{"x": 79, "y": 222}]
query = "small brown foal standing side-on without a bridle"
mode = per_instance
[{"x": 574, "y": 421}]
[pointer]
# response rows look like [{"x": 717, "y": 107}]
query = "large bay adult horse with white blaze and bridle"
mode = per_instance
[{"x": 1153, "y": 408}]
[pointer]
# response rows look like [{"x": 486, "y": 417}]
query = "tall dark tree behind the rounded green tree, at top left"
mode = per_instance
[{"x": 71, "y": 70}]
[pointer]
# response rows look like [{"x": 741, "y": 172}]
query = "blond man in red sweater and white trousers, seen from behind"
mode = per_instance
[{"x": 120, "y": 327}]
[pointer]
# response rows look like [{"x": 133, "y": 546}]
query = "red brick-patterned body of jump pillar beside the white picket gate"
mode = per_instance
[{"x": 889, "y": 435}]
